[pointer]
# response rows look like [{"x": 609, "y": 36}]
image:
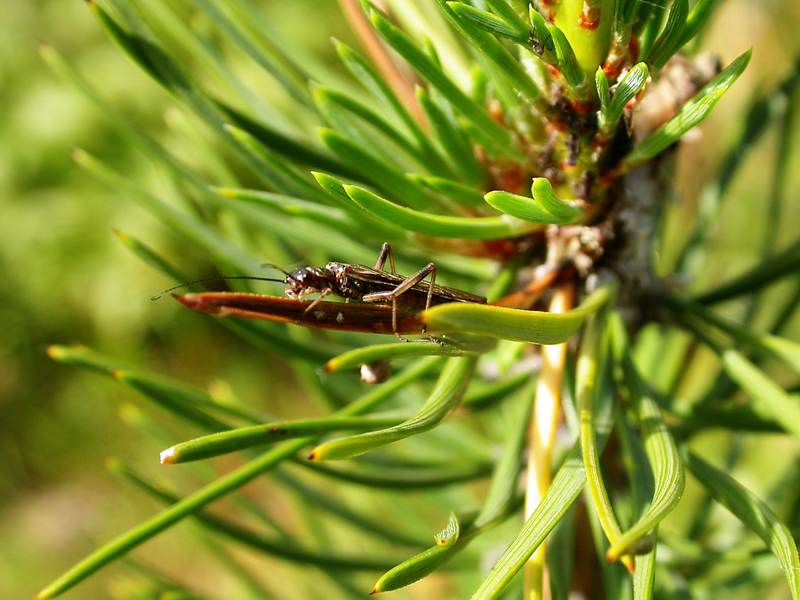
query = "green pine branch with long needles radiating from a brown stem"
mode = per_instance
[{"x": 527, "y": 150}]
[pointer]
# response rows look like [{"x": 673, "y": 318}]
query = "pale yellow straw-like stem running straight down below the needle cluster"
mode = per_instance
[{"x": 544, "y": 422}]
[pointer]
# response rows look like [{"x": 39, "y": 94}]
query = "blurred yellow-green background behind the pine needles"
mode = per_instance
[{"x": 65, "y": 278}]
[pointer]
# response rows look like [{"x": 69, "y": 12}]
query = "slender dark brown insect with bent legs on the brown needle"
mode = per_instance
[{"x": 375, "y": 285}]
